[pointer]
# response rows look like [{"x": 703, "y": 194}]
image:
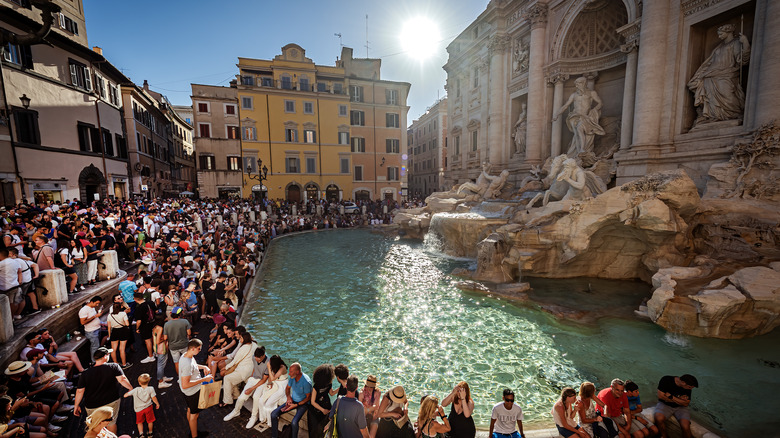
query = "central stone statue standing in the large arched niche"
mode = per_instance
[{"x": 583, "y": 118}]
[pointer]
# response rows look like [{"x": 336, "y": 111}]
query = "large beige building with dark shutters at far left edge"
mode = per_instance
[{"x": 60, "y": 112}]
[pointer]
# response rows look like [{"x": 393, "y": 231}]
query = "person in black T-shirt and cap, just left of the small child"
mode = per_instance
[{"x": 97, "y": 387}]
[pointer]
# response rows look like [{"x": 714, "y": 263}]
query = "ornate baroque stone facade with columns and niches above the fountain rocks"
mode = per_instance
[{"x": 647, "y": 100}]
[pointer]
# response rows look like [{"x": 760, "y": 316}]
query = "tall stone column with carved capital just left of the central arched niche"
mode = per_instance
[{"x": 536, "y": 15}]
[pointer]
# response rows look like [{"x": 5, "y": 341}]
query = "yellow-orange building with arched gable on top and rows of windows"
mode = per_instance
[{"x": 294, "y": 117}]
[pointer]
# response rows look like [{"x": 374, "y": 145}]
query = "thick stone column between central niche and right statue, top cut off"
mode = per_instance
[{"x": 650, "y": 66}]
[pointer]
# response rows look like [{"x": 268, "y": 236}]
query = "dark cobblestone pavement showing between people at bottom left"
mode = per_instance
[{"x": 171, "y": 417}]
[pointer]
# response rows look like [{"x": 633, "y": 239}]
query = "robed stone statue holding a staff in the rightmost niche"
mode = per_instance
[{"x": 716, "y": 87}]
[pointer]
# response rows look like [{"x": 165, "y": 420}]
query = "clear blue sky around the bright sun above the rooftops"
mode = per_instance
[{"x": 173, "y": 43}]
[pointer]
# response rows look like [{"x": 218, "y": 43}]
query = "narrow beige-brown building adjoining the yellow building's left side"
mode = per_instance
[{"x": 217, "y": 140}]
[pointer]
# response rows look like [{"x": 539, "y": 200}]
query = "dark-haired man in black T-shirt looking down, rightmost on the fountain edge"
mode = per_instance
[{"x": 674, "y": 397}]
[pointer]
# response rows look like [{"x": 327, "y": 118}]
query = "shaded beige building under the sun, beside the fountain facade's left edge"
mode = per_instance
[{"x": 428, "y": 151}]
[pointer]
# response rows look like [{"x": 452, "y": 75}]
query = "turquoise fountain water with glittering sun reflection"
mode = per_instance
[{"x": 389, "y": 308}]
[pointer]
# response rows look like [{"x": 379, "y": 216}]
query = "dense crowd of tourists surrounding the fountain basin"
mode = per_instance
[{"x": 196, "y": 257}]
